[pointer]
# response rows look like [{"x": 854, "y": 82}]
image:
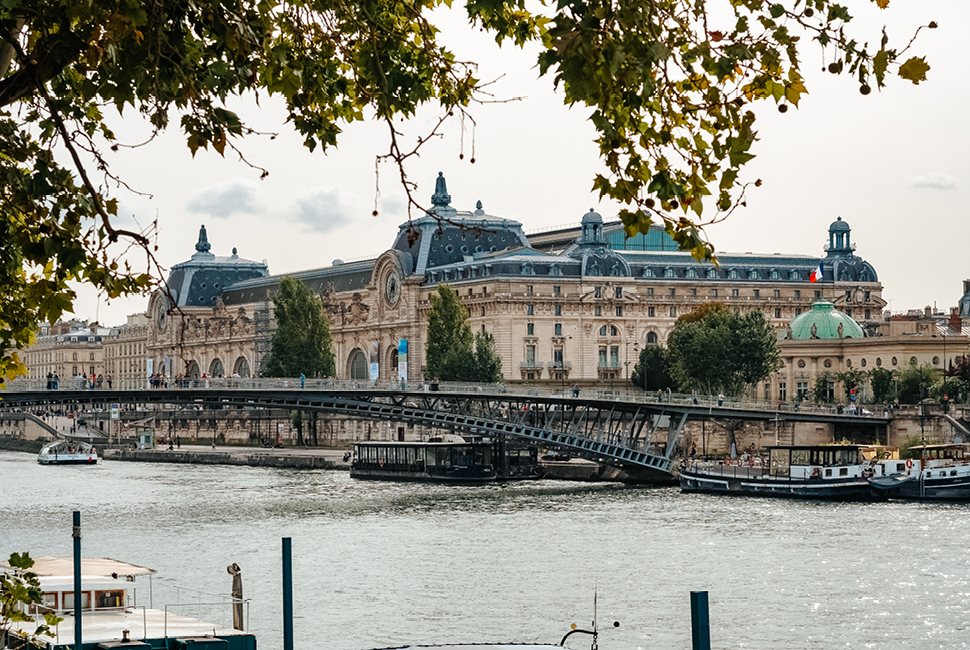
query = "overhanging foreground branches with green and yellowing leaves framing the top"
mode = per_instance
[{"x": 667, "y": 84}]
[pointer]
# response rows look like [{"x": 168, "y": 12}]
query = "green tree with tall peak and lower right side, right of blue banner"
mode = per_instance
[{"x": 452, "y": 353}]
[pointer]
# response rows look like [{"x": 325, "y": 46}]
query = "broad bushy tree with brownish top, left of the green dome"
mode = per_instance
[{"x": 715, "y": 350}]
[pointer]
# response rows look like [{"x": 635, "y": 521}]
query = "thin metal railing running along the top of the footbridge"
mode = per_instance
[{"x": 626, "y": 394}]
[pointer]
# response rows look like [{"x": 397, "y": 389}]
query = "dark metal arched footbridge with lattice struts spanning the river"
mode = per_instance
[{"x": 629, "y": 430}]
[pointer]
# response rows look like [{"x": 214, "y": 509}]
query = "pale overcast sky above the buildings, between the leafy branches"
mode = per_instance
[{"x": 894, "y": 165}]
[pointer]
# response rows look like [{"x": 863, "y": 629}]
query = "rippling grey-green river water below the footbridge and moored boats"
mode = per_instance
[{"x": 384, "y": 564}]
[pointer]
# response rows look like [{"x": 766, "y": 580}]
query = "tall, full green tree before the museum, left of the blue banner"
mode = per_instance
[{"x": 301, "y": 343}]
